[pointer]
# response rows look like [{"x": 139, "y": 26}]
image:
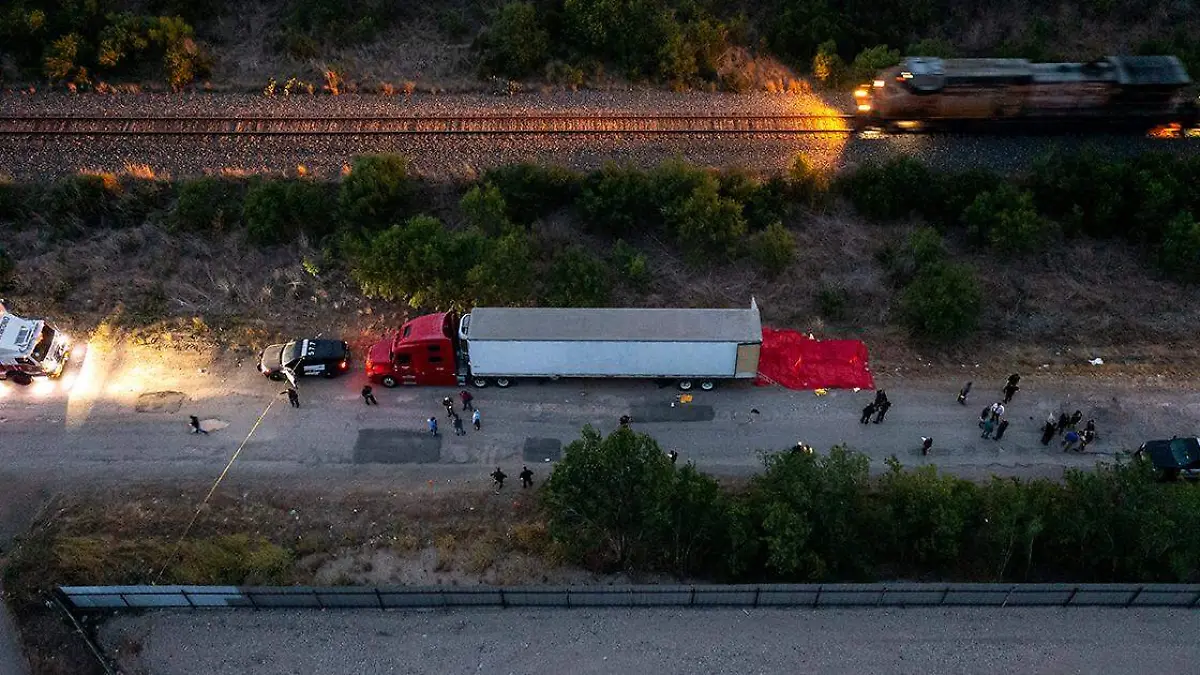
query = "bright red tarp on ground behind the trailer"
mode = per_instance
[{"x": 794, "y": 361}]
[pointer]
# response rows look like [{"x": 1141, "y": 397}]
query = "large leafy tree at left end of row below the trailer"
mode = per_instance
[{"x": 609, "y": 499}]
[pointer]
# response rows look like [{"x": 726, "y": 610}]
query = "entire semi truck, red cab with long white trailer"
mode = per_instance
[{"x": 694, "y": 348}]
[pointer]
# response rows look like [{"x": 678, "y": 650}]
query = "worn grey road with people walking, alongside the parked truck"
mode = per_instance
[{"x": 125, "y": 419}]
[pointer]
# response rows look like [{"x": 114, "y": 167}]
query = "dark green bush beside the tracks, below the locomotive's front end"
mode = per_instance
[{"x": 890, "y": 192}]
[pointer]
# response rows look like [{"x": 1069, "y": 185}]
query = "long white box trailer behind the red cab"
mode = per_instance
[{"x": 694, "y": 348}]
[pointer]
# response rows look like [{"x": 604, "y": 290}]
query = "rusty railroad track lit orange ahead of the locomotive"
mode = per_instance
[{"x": 423, "y": 126}]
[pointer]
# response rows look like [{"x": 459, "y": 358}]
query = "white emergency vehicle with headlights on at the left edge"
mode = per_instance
[{"x": 31, "y": 348}]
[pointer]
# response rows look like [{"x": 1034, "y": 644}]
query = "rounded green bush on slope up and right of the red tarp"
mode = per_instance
[{"x": 943, "y": 303}]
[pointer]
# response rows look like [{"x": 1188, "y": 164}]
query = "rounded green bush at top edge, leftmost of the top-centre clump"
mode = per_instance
[{"x": 517, "y": 45}]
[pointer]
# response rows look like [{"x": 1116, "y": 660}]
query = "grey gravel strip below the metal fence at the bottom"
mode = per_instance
[{"x": 662, "y": 642}]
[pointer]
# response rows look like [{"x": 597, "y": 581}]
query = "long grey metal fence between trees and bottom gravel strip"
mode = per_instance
[{"x": 107, "y": 599}]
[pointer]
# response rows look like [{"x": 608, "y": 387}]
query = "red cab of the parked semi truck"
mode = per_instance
[{"x": 424, "y": 353}]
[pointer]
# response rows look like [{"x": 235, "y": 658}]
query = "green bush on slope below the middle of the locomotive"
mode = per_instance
[{"x": 1005, "y": 219}]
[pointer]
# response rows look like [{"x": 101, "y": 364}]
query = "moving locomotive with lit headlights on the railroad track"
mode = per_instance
[{"x": 1115, "y": 92}]
